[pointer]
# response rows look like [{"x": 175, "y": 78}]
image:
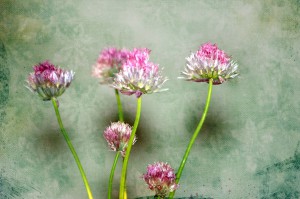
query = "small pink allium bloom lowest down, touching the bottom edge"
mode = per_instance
[{"x": 160, "y": 178}]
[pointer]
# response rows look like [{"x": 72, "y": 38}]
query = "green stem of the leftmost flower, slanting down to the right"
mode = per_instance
[{"x": 65, "y": 134}]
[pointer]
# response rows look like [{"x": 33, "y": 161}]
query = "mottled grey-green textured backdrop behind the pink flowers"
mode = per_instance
[{"x": 249, "y": 146}]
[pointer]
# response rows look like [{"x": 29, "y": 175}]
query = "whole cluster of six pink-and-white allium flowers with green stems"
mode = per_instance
[{"x": 131, "y": 73}]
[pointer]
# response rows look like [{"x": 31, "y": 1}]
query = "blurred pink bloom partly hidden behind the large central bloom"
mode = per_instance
[{"x": 110, "y": 62}]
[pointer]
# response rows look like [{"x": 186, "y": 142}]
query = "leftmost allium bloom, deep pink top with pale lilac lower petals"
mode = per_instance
[{"x": 49, "y": 81}]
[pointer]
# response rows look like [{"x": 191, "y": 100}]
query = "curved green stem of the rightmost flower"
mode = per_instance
[{"x": 187, "y": 152}]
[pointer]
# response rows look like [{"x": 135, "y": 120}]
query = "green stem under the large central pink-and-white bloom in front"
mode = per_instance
[{"x": 125, "y": 163}]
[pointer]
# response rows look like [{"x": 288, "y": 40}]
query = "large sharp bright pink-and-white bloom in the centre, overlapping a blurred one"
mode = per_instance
[{"x": 139, "y": 75}]
